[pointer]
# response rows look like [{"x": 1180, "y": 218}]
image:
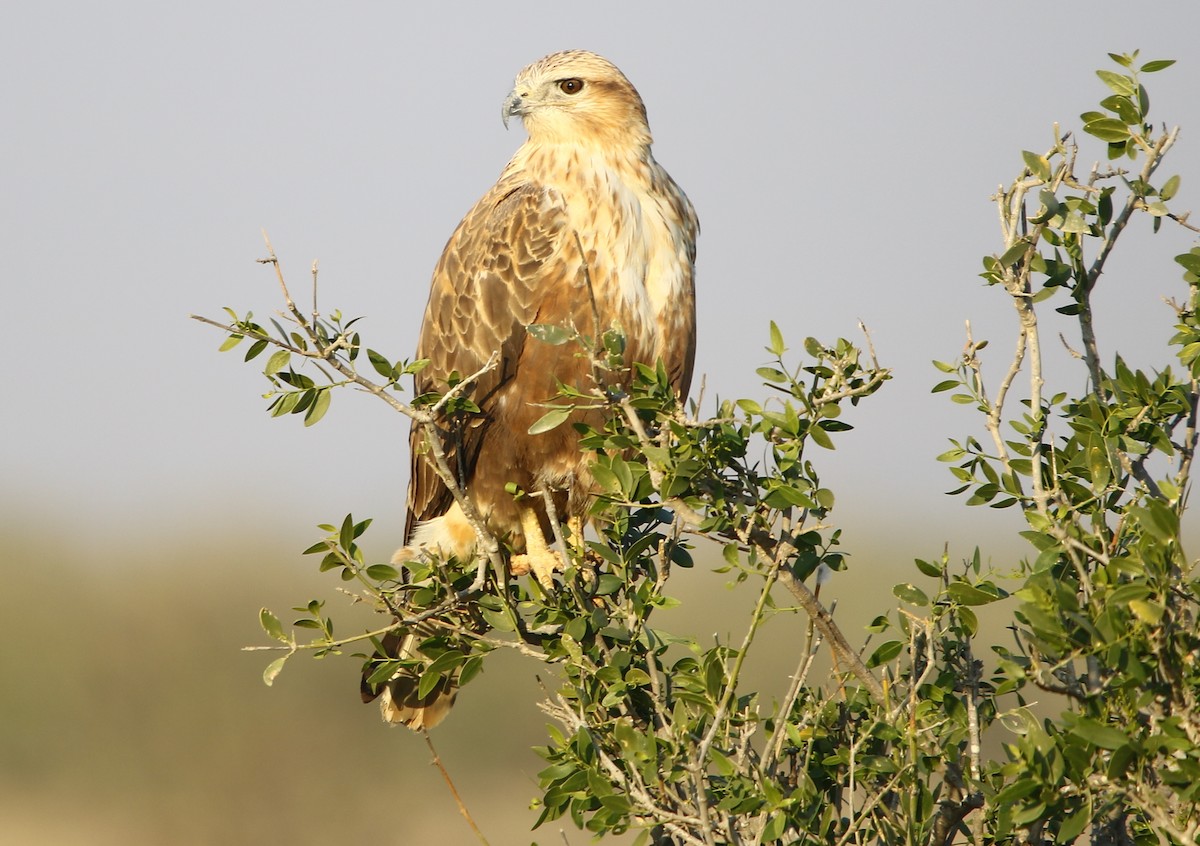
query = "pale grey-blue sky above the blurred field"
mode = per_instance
[{"x": 841, "y": 160}]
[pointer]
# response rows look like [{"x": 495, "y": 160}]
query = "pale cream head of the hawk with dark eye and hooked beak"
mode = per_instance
[{"x": 578, "y": 95}]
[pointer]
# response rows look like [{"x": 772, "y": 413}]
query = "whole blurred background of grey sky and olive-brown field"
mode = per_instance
[{"x": 841, "y": 157}]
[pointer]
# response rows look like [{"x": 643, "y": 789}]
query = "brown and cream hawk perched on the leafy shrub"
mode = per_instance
[{"x": 585, "y": 231}]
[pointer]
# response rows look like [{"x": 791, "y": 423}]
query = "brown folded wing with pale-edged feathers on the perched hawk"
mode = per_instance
[{"x": 487, "y": 289}]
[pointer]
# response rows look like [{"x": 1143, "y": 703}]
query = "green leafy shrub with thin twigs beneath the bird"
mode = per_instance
[{"x": 656, "y": 731}]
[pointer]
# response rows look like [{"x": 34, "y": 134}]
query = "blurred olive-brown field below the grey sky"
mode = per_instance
[{"x": 133, "y": 717}]
